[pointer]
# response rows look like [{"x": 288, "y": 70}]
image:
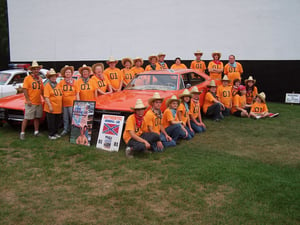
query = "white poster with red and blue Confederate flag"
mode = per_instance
[{"x": 110, "y": 132}]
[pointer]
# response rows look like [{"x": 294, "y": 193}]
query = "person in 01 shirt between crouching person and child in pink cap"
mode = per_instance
[{"x": 224, "y": 95}]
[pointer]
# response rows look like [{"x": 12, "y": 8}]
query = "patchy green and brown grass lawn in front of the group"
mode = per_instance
[{"x": 241, "y": 171}]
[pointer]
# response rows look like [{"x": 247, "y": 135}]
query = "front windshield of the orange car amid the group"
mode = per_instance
[{"x": 154, "y": 82}]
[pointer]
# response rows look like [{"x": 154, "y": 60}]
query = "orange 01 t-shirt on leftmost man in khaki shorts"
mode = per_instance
[{"x": 34, "y": 88}]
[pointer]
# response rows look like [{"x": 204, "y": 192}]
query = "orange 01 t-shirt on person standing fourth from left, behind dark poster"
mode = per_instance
[{"x": 86, "y": 90}]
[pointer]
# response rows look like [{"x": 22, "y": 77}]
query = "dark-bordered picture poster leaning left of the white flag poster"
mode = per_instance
[{"x": 82, "y": 122}]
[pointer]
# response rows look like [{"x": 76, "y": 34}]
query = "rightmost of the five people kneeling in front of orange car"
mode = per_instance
[{"x": 195, "y": 112}]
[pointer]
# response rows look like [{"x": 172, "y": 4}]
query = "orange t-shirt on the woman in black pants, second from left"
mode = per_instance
[{"x": 55, "y": 98}]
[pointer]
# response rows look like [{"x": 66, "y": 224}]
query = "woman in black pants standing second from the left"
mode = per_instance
[{"x": 53, "y": 104}]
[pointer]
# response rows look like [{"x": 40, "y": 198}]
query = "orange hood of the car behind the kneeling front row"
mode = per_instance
[{"x": 122, "y": 101}]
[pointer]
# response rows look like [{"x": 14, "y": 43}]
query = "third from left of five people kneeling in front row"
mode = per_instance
[{"x": 170, "y": 121}]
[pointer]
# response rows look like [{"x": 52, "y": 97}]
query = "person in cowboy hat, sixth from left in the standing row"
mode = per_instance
[{"x": 114, "y": 75}]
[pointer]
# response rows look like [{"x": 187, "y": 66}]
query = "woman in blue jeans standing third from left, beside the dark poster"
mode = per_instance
[{"x": 67, "y": 86}]
